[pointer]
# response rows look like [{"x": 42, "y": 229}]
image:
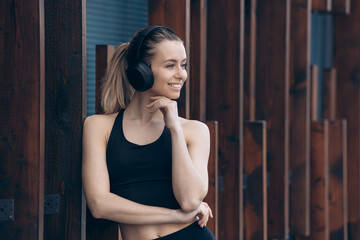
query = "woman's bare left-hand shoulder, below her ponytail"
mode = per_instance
[{"x": 99, "y": 125}]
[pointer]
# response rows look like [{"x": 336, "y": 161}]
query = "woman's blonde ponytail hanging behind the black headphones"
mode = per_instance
[{"x": 116, "y": 89}]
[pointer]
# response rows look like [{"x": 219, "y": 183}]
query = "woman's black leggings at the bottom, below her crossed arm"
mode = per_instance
[{"x": 193, "y": 231}]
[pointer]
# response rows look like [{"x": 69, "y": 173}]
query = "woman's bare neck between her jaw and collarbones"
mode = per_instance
[{"x": 137, "y": 109}]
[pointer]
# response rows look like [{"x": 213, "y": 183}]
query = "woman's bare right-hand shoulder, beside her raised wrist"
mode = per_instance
[{"x": 194, "y": 129}]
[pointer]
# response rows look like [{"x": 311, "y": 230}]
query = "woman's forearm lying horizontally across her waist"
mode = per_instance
[{"x": 118, "y": 209}]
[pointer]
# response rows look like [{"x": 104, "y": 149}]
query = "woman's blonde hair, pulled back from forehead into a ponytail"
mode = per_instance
[{"x": 116, "y": 88}]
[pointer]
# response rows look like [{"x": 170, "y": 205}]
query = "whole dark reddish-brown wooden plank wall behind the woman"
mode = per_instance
[{"x": 277, "y": 170}]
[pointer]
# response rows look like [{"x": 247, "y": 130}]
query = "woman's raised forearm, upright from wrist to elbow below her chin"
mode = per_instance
[{"x": 188, "y": 185}]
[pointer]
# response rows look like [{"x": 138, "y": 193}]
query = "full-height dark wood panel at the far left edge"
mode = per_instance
[{"x": 22, "y": 117}]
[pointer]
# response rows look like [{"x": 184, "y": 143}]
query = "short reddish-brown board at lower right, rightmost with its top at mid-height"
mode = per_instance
[{"x": 337, "y": 178}]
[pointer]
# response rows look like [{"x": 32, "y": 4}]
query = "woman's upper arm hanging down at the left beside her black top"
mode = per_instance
[{"x": 95, "y": 175}]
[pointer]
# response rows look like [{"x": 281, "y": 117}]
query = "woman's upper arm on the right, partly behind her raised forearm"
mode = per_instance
[{"x": 198, "y": 143}]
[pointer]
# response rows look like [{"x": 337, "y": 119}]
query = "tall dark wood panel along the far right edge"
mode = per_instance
[{"x": 346, "y": 61}]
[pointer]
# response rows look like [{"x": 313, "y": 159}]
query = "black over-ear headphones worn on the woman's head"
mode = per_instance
[{"x": 139, "y": 73}]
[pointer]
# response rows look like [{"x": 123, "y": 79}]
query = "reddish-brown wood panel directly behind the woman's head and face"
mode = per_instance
[{"x": 175, "y": 15}]
